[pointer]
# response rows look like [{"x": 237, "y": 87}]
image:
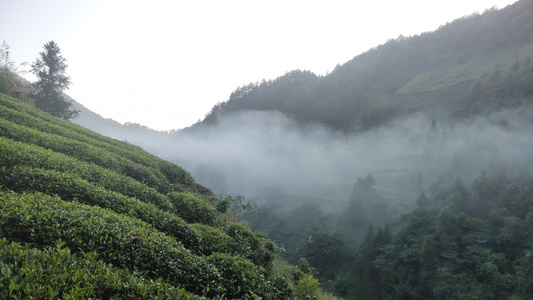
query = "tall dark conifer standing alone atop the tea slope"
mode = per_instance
[{"x": 50, "y": 69}]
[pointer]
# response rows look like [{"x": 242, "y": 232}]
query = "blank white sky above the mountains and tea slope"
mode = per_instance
[{"x": 164, "y": 64}]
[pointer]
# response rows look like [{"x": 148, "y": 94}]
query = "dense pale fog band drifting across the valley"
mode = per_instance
[{"x": 256, "y": 153}]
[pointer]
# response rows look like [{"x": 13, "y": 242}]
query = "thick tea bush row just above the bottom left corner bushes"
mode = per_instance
[{"x": 129, "y": 243}]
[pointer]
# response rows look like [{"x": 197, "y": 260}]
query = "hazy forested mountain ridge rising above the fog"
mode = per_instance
[{"x": 474, "y": 65}]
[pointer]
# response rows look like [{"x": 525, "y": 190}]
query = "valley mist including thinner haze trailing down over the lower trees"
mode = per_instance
[{"x": 308, "y": 177}]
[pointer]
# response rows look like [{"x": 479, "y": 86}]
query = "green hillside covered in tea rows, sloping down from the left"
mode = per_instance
[{"x": 85, "y": 216}]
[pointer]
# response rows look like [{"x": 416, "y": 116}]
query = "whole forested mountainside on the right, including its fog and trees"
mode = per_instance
[{"x": 327, "y": 158}]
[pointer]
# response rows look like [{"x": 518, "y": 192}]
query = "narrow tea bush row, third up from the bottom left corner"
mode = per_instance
[{"x": 199, "y": 238}]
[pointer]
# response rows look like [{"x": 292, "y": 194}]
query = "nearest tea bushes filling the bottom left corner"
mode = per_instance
[{"x": 56, "y": 273}]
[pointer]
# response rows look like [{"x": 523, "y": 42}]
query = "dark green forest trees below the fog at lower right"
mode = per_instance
[{"x": 472, "y": 243}]
